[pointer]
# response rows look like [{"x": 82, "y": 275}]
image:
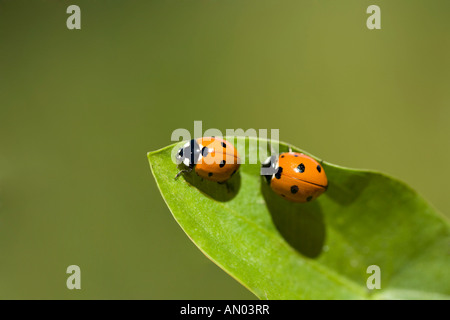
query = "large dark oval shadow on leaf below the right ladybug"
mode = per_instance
[{"x": 300, "y": 224}]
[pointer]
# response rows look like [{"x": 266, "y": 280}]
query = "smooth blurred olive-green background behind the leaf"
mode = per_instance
[{"x": 79, "y": 110}]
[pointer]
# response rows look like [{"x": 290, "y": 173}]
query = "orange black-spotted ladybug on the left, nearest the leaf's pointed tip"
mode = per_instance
[{"x": 211, "y": 158}]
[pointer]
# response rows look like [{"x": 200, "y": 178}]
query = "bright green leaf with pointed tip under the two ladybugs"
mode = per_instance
[{"x": 318, "y": 250}]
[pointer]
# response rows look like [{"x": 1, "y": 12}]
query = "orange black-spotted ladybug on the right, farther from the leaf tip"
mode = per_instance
[{"x": 295, "y": 176}]
